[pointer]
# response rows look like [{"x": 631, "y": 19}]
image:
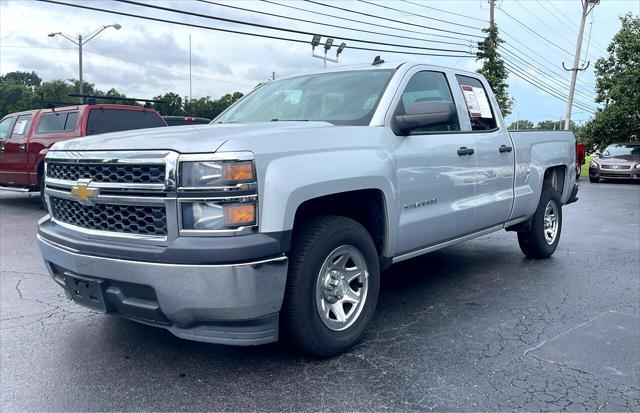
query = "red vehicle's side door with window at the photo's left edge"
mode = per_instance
[{"x": 14, "y": 156}]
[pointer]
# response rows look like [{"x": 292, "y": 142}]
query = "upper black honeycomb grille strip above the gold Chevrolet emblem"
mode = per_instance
[{"x": 108, "y": 172}]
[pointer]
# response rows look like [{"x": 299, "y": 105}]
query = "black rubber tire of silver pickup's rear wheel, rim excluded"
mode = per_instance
[{"x": 533, "y": 242}]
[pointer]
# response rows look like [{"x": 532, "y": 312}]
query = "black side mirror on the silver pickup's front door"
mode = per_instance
[{"x": 423, "y": 114}]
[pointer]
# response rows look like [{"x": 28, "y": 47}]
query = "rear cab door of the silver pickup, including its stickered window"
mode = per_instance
[{"x": 495, "y": 154}]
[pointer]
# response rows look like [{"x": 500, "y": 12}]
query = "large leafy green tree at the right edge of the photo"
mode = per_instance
[{"x": 618, "y": 89}]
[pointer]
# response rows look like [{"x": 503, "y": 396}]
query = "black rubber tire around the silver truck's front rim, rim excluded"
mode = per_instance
[{"x": 300, "y": 322}]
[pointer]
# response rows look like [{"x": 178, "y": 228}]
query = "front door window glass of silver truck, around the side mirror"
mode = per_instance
[{"x": 428, "y": 87}]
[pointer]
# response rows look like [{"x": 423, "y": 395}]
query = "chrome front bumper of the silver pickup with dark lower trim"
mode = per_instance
[{"x": 226, "y": 303}]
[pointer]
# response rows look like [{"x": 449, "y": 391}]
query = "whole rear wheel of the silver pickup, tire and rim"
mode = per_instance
[{"x": 543, "y": 235}]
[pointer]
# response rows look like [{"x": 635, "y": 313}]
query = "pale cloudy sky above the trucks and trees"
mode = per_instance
[{"x": 147, "y": 58}]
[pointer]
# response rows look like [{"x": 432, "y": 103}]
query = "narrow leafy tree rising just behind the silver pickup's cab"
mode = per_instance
[{"x": 494, "y": 71}]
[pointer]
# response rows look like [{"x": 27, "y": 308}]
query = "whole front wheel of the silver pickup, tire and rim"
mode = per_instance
[{"x": 332, "y": 286}]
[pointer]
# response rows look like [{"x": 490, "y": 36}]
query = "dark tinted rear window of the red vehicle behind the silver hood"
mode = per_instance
[{"x": 114, "y": 120}]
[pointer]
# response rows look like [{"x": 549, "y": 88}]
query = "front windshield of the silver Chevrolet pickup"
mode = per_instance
[{"x": 343, "y": 98}]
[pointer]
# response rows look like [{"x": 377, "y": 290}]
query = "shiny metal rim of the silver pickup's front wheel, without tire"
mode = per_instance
[{"x": 341, "y": 288}]
